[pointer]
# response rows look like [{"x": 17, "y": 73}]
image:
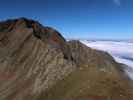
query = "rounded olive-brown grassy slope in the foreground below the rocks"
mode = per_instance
[{"x": 89, "y": 84}]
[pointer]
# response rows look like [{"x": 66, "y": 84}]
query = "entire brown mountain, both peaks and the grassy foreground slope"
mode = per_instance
[{"x": 37, "y": 63}]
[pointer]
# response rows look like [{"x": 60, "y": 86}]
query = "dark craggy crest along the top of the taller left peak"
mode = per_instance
[{"x": 21, "y": 26}]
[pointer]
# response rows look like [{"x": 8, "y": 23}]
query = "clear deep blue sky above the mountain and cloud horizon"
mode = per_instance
[{"x": 109, "y": 19}]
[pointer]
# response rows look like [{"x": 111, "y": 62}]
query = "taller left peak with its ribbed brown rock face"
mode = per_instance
[{"x": 32, "y": 59}]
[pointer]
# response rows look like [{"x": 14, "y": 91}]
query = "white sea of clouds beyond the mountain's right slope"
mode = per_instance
[{"x": 122, "y": 51}]
